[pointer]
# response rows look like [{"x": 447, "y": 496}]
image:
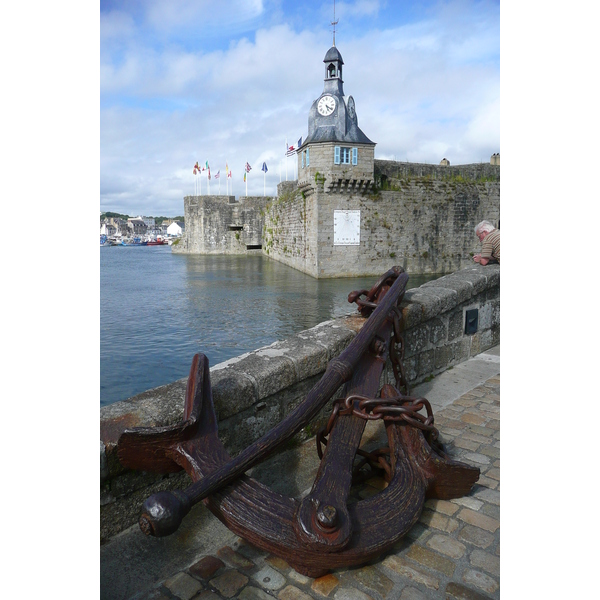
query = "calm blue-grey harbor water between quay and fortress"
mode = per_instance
[{"x": 158, "y": 309}]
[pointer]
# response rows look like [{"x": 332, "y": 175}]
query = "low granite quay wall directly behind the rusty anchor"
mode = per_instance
[{"x": 253, "y": 392}]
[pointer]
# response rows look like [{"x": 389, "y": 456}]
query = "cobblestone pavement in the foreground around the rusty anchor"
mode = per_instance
[{"x": 453, "y": 552}]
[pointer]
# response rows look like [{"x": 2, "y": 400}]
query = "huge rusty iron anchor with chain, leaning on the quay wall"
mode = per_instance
[{"x": 322, "y": 531}]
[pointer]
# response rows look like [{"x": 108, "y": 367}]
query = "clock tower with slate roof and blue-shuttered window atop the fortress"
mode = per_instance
[{"x": 336, "y": 153}]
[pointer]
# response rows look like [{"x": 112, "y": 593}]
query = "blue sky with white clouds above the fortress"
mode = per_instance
[{"x": 232, "y": 82}]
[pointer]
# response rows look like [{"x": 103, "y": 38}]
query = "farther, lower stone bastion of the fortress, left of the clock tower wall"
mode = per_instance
[{"x": 220, "y": 225}]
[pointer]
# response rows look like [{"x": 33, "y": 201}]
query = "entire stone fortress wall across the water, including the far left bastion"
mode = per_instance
[{"x": 420, "y": 216}]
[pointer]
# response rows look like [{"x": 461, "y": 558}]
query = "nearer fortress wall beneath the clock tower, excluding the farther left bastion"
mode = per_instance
[{"x": 423, "y": 223}]
